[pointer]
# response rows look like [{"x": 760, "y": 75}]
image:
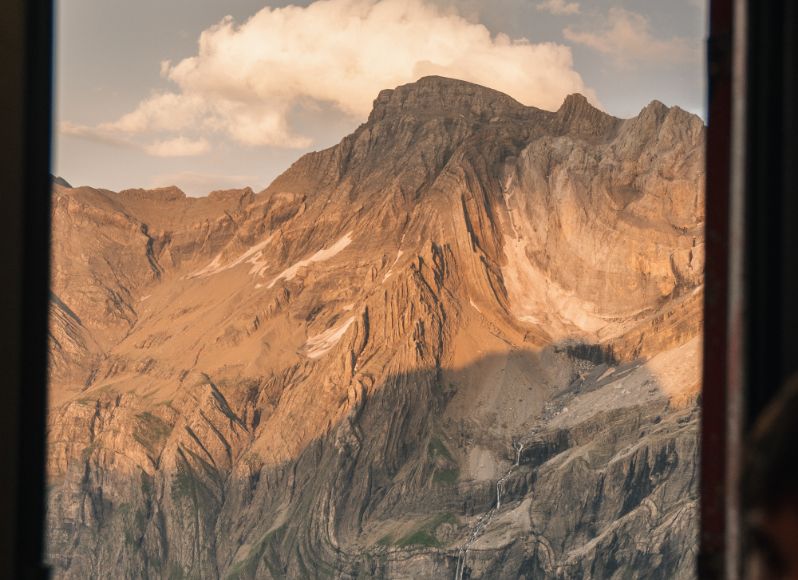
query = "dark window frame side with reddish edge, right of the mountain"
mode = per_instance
[{"x": 752, "y": 271}]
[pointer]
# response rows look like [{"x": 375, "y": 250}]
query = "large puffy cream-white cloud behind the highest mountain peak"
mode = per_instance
[{"x": 246, "y": 79}]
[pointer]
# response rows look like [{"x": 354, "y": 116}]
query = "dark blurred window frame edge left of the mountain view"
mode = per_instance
[{"x": 26, "y": 46}]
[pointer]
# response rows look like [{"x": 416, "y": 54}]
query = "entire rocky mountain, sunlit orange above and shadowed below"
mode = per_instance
[{"x": 462, "y": 343}]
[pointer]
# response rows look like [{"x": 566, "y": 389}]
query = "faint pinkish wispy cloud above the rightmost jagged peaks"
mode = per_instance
[{"x": 627, "y": 39}]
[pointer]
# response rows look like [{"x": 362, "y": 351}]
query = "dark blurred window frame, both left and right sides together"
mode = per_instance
[{"x": 751, "y": 269}]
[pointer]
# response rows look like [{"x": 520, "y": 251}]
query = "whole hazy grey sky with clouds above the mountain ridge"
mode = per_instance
[{"x": 212, "y": 95}]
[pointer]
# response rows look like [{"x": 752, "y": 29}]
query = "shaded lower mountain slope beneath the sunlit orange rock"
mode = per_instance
[{"x": 605, "y": 486}]
